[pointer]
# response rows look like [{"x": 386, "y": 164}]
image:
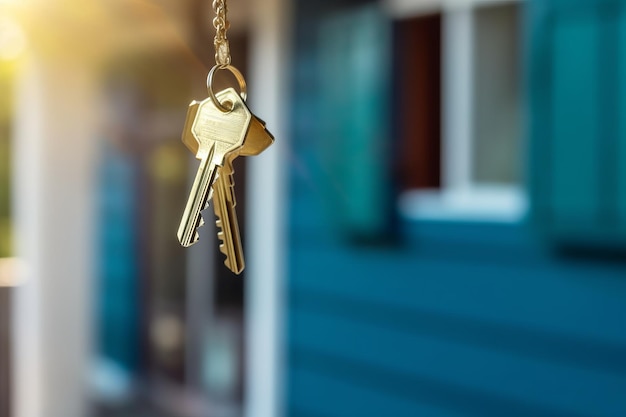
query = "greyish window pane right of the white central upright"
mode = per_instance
[{"x": 497, "y": 99}]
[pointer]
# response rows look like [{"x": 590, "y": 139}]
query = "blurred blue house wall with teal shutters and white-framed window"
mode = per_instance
[{"x": 457, "y": 233}]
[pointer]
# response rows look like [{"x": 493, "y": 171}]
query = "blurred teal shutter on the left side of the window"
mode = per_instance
[{"x": 355, "y": 57}]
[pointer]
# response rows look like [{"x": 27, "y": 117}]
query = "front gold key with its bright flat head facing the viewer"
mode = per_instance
[{"x": 216, "y": 134}]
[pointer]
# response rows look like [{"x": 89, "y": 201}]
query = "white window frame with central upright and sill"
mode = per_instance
[{"x": 460, "y": 198}]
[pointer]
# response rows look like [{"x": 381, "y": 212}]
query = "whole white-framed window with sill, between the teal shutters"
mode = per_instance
[{"x": 479, "y": 146}]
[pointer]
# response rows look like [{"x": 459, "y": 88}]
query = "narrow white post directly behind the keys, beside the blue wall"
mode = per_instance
[{"x": 266, "y": 247}]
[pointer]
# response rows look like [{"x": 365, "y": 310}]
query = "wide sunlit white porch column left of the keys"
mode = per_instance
[{"x": 53, "y": 213}]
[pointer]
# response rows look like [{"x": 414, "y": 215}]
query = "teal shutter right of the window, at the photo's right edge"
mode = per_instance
[{"x": 577, "y": 135}]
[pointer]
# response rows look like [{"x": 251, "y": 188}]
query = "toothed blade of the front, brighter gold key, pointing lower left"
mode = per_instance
[{"x": 198, "y": 198}]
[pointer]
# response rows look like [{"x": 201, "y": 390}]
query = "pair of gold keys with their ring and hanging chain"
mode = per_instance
[{"x": 217, "y": 131}]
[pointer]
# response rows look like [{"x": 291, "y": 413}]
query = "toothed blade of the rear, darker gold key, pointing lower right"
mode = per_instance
[{"x": 228, "y": 227}]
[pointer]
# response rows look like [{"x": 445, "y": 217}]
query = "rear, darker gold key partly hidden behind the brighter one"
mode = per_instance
[{"x": 257, "y": 140}]
